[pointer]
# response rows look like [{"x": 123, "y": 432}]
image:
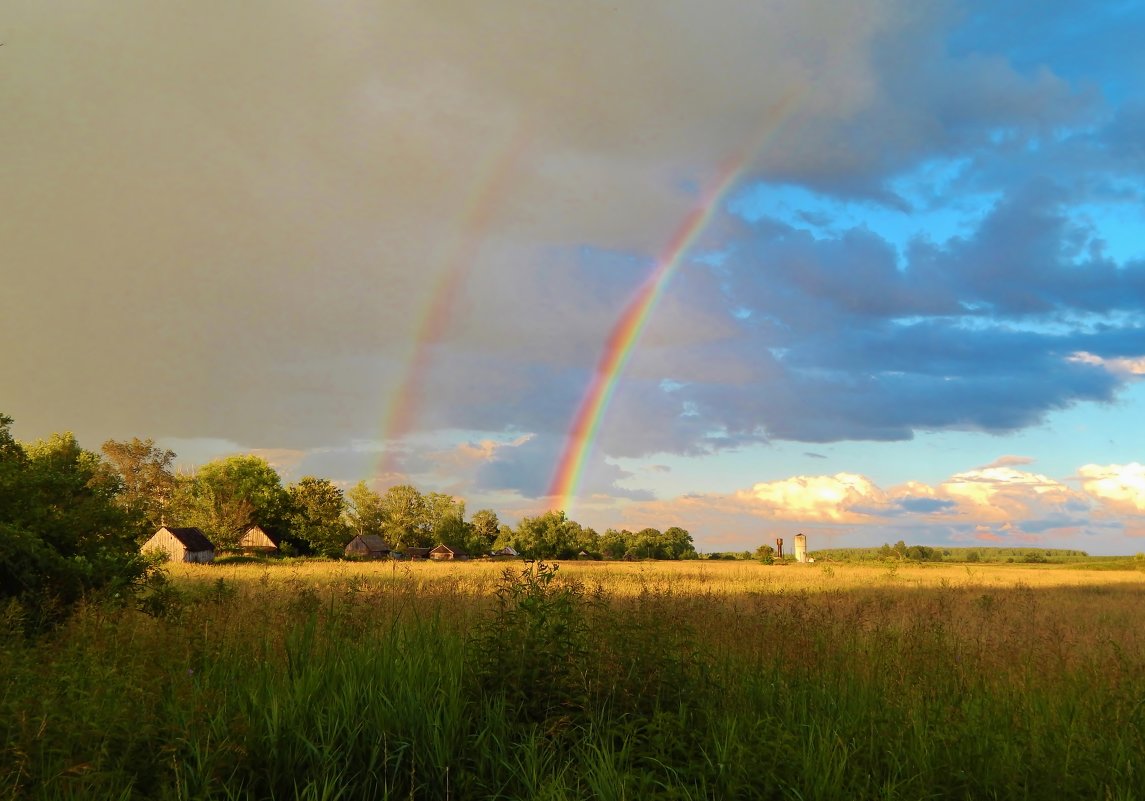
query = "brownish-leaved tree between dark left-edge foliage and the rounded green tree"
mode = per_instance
[{"x": 147, "y": 480}]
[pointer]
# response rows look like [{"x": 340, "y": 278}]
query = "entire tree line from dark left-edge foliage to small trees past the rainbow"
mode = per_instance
[{"x": 72, "y": 520}]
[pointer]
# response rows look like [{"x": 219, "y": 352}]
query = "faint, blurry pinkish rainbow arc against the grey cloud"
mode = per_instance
[{"x": 436, "y": 319}]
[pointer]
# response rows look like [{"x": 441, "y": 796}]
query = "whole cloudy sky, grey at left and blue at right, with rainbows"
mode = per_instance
[{"x": 881, "y": 263}]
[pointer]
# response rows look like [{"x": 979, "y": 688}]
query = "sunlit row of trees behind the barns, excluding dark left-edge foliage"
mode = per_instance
[{"x": 226, "y": 497}]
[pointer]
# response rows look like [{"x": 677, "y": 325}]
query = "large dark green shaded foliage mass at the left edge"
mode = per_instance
[{"x": 64, "y": 532}]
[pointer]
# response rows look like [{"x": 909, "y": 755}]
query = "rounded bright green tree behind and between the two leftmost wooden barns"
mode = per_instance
[{"x": 228, "y": 496}]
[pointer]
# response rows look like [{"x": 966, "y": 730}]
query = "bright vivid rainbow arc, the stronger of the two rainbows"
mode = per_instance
[{"x": 627, "y": 332}]
